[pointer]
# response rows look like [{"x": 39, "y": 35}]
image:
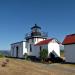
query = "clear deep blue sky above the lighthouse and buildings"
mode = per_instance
[{"x": 57, "y": 17}]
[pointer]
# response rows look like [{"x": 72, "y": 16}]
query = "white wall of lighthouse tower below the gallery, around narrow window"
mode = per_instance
[{"x": 35, "y": 50}]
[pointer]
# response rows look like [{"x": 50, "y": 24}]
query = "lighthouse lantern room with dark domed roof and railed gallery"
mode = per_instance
[{"x": 35, "y": 35}]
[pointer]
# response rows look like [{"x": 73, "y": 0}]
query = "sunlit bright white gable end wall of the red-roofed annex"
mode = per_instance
[{"x": 54, "y": 46}]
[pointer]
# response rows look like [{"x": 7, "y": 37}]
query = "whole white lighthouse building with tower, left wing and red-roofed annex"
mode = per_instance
[{"x": 32, "y": 44}]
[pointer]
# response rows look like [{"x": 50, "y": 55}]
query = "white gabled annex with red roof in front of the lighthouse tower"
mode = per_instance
[{"x": 52, "y": 45}]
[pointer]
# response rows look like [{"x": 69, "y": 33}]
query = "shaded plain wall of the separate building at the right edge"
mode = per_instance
[{"x": 69, "y": 51}]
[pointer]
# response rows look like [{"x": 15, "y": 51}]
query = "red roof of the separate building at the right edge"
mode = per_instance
[{"x": 69, "y": 39}]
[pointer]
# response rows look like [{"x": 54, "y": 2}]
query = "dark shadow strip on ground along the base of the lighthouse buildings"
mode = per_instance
[{"x": 47, "y": 61}]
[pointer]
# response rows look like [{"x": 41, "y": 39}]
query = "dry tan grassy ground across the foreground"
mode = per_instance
[{"x": 23, "y": 67}]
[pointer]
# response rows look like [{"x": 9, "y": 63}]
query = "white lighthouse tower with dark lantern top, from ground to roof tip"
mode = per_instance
[{"x": 35, "y": 36}]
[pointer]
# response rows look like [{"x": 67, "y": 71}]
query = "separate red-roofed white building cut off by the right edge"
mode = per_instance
[{"x": 69, "y": 48}]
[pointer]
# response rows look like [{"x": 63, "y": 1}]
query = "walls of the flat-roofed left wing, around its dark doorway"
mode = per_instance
[{"x": 21, "y": 49}]
